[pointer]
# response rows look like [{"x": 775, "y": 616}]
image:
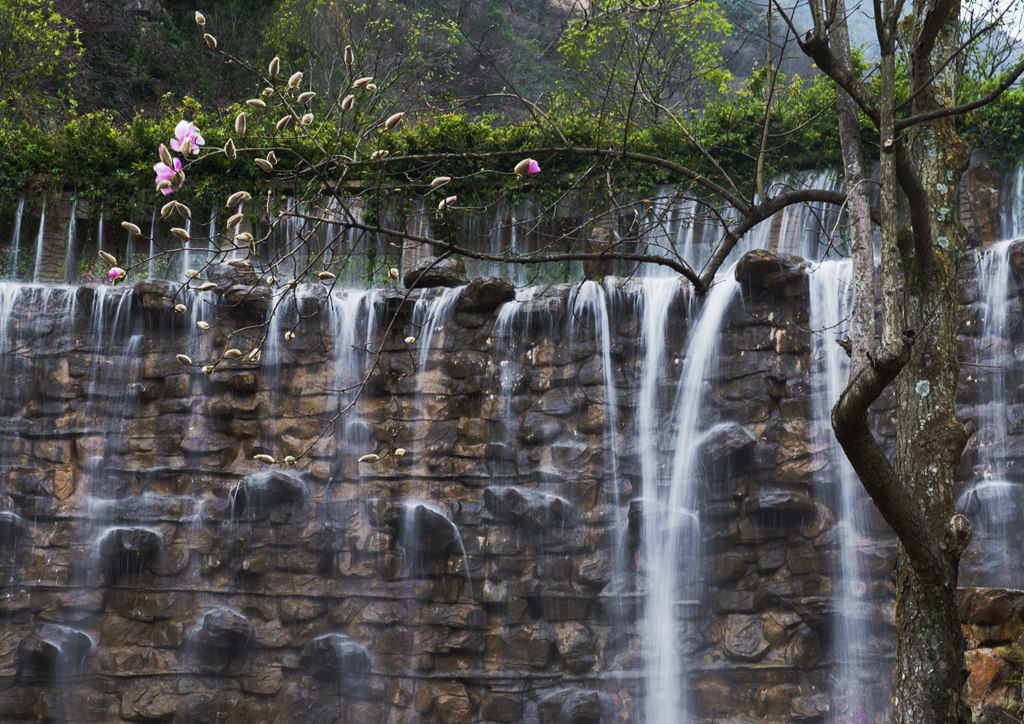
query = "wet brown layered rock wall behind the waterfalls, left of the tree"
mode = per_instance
[{"x": 154, "y": 571}]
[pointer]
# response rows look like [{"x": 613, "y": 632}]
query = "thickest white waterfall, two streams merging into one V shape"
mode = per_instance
[{"x": 671, "y": 527}]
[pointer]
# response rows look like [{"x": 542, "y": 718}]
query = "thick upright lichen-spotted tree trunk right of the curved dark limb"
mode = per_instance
[{"x": 930, "y": 668}]
